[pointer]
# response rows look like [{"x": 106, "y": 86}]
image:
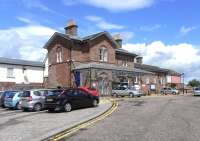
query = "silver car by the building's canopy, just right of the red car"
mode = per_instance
[{"x": 126, "y": 91}]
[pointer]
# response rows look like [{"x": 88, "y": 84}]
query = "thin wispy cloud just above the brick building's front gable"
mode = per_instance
[{"x": 102, "y": 24}]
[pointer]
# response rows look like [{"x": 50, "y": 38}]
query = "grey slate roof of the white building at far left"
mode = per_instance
[{"x": 20, "y": 62}]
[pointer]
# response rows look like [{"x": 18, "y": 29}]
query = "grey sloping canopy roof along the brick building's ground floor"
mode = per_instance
[{"x": 109, "y": 67}]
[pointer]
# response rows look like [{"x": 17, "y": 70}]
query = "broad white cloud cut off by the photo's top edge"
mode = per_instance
[{"x": 117, "y": 5}]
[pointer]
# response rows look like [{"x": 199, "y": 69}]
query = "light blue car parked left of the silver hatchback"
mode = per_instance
[{"x": 12, "y": 99}]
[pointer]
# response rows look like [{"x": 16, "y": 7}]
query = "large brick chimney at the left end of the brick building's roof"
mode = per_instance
[{"x": 71, "y": 28}]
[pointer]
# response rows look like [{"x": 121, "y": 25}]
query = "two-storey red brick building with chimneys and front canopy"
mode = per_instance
[{"x": 97, "y": 60}]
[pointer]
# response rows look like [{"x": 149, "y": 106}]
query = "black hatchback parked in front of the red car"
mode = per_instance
[{"x": 70, "y": 99}]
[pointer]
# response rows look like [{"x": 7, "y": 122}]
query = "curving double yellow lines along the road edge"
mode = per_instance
[{"x": 76, "y": 128}]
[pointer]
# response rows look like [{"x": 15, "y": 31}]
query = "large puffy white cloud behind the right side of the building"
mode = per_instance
[{"x": 180, "y": 57}]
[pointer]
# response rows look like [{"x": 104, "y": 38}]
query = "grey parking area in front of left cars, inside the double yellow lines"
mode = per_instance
[{"x": 16, "y": 125}]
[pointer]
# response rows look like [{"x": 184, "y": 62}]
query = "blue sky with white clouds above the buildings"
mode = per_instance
[{"x": 165, "y": 32}]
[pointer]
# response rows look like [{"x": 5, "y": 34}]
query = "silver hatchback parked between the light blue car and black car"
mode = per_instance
[{"x": 34, "y": 99}]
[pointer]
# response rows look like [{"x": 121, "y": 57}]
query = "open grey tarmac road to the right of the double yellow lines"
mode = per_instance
[{"x": 160, "y": 118}]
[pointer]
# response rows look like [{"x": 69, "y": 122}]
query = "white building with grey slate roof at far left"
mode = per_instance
[{"x": 15, "y": 73}]
